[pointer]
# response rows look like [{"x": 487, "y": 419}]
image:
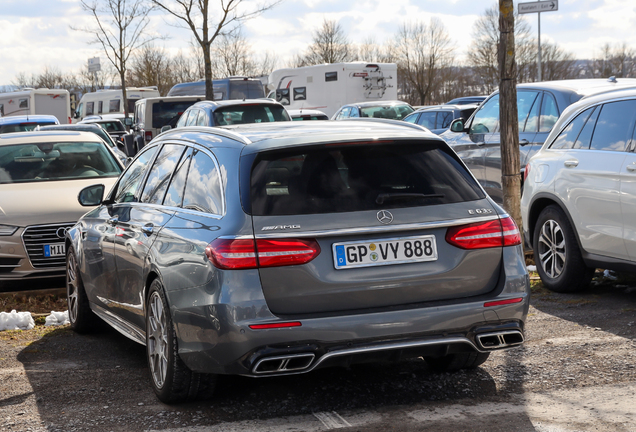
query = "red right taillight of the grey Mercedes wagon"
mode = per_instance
[{"x": 481, "y": 235}]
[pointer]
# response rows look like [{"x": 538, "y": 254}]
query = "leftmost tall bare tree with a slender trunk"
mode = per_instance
[{"x": 120, "y": 28}]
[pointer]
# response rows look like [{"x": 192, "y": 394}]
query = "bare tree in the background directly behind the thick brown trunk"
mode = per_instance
[{"x": 483, "y": 55}]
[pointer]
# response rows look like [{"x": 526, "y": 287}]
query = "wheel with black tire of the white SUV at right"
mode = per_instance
[{"x": 557, "y": 254}]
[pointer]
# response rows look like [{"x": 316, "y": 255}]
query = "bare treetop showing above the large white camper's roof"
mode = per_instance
[{"x": 330, "y": 45}]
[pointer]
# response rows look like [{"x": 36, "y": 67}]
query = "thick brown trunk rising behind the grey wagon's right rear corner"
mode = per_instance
[{"x": 510, "y": 172}]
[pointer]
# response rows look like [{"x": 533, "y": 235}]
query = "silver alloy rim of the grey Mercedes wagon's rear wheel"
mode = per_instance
[{"x": 157, "y": 339}]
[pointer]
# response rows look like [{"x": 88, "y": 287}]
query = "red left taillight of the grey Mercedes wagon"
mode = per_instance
[{"x": 234, "y": 254}]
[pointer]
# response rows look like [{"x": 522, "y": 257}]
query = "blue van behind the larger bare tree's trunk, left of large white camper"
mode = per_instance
[{"x": 224, "y": 89}]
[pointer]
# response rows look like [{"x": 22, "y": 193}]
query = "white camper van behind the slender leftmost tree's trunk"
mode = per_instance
[{"x": 110, "y": 101}]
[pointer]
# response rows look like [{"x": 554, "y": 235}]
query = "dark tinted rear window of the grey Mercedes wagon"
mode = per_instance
[{"x": 356, "y": 177}]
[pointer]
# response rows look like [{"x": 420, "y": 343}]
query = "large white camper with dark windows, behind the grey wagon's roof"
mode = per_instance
[{"x": 329, "y": 86}]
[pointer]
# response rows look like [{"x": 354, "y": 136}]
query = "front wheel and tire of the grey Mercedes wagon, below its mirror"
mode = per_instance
[{"x": 80, "y": 315}]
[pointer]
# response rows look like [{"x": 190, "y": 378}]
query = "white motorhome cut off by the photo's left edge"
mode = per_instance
[{"x": 37, "y": 101}]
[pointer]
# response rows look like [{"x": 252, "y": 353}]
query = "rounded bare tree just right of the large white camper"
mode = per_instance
[{"x": 423, "y": 52}]
